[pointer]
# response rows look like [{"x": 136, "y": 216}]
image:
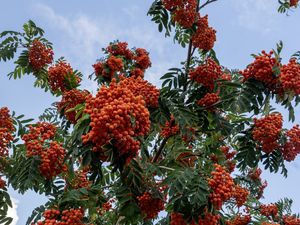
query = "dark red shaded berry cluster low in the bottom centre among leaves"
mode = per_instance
[{"x": 150, "y": 206}]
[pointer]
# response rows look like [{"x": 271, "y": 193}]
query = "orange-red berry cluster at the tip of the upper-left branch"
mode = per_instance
[{"x": 39, "y": 55}]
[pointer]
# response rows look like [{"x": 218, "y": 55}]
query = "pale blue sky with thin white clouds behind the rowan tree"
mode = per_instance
[{"x": 79, "y": 30}]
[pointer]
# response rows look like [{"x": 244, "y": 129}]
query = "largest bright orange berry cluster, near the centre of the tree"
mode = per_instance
[{"x": 117, "y": 117}]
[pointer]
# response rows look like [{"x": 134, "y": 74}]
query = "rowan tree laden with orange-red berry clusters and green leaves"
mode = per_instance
[{"x": 190, "y": 152}]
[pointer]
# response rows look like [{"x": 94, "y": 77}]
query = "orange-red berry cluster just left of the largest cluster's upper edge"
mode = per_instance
[{"x": 69, "y": 100}]
